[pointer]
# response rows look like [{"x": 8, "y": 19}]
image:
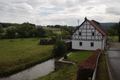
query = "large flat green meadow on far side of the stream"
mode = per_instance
[{"x": 17, "y": 54}]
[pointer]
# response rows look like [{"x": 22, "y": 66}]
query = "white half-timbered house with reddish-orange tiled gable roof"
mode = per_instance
[{"x": 89, "y": 36}]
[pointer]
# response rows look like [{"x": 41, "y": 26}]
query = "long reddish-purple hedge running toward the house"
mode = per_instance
[{"x": 86, "y": 69}]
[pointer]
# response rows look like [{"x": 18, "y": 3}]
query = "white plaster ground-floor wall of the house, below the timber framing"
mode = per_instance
[{"x": 86, "y": 45}]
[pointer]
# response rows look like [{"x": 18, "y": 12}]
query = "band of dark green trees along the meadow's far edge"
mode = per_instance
[{"x": 27, "y": 30}]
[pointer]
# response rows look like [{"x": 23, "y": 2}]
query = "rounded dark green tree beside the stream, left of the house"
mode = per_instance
[{"x": 59, "y": 48}]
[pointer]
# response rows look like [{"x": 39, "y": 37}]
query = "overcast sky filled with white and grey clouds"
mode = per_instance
[{"x": 62, "y": 12}]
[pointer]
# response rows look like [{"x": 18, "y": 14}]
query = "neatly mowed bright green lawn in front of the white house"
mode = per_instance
[{"x": 78, "y": 56}]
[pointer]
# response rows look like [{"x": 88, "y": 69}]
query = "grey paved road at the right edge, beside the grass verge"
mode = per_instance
[{"x": 114, "y": 59}]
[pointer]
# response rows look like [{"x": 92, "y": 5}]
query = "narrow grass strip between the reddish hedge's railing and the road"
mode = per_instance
[{"x": 102, "y": 73}]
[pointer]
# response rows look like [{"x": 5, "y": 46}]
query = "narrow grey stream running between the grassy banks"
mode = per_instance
[{"x": 33, "y": 72}]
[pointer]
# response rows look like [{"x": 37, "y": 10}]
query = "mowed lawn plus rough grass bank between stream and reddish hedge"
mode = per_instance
[{"x": 69, "y": 72}]
